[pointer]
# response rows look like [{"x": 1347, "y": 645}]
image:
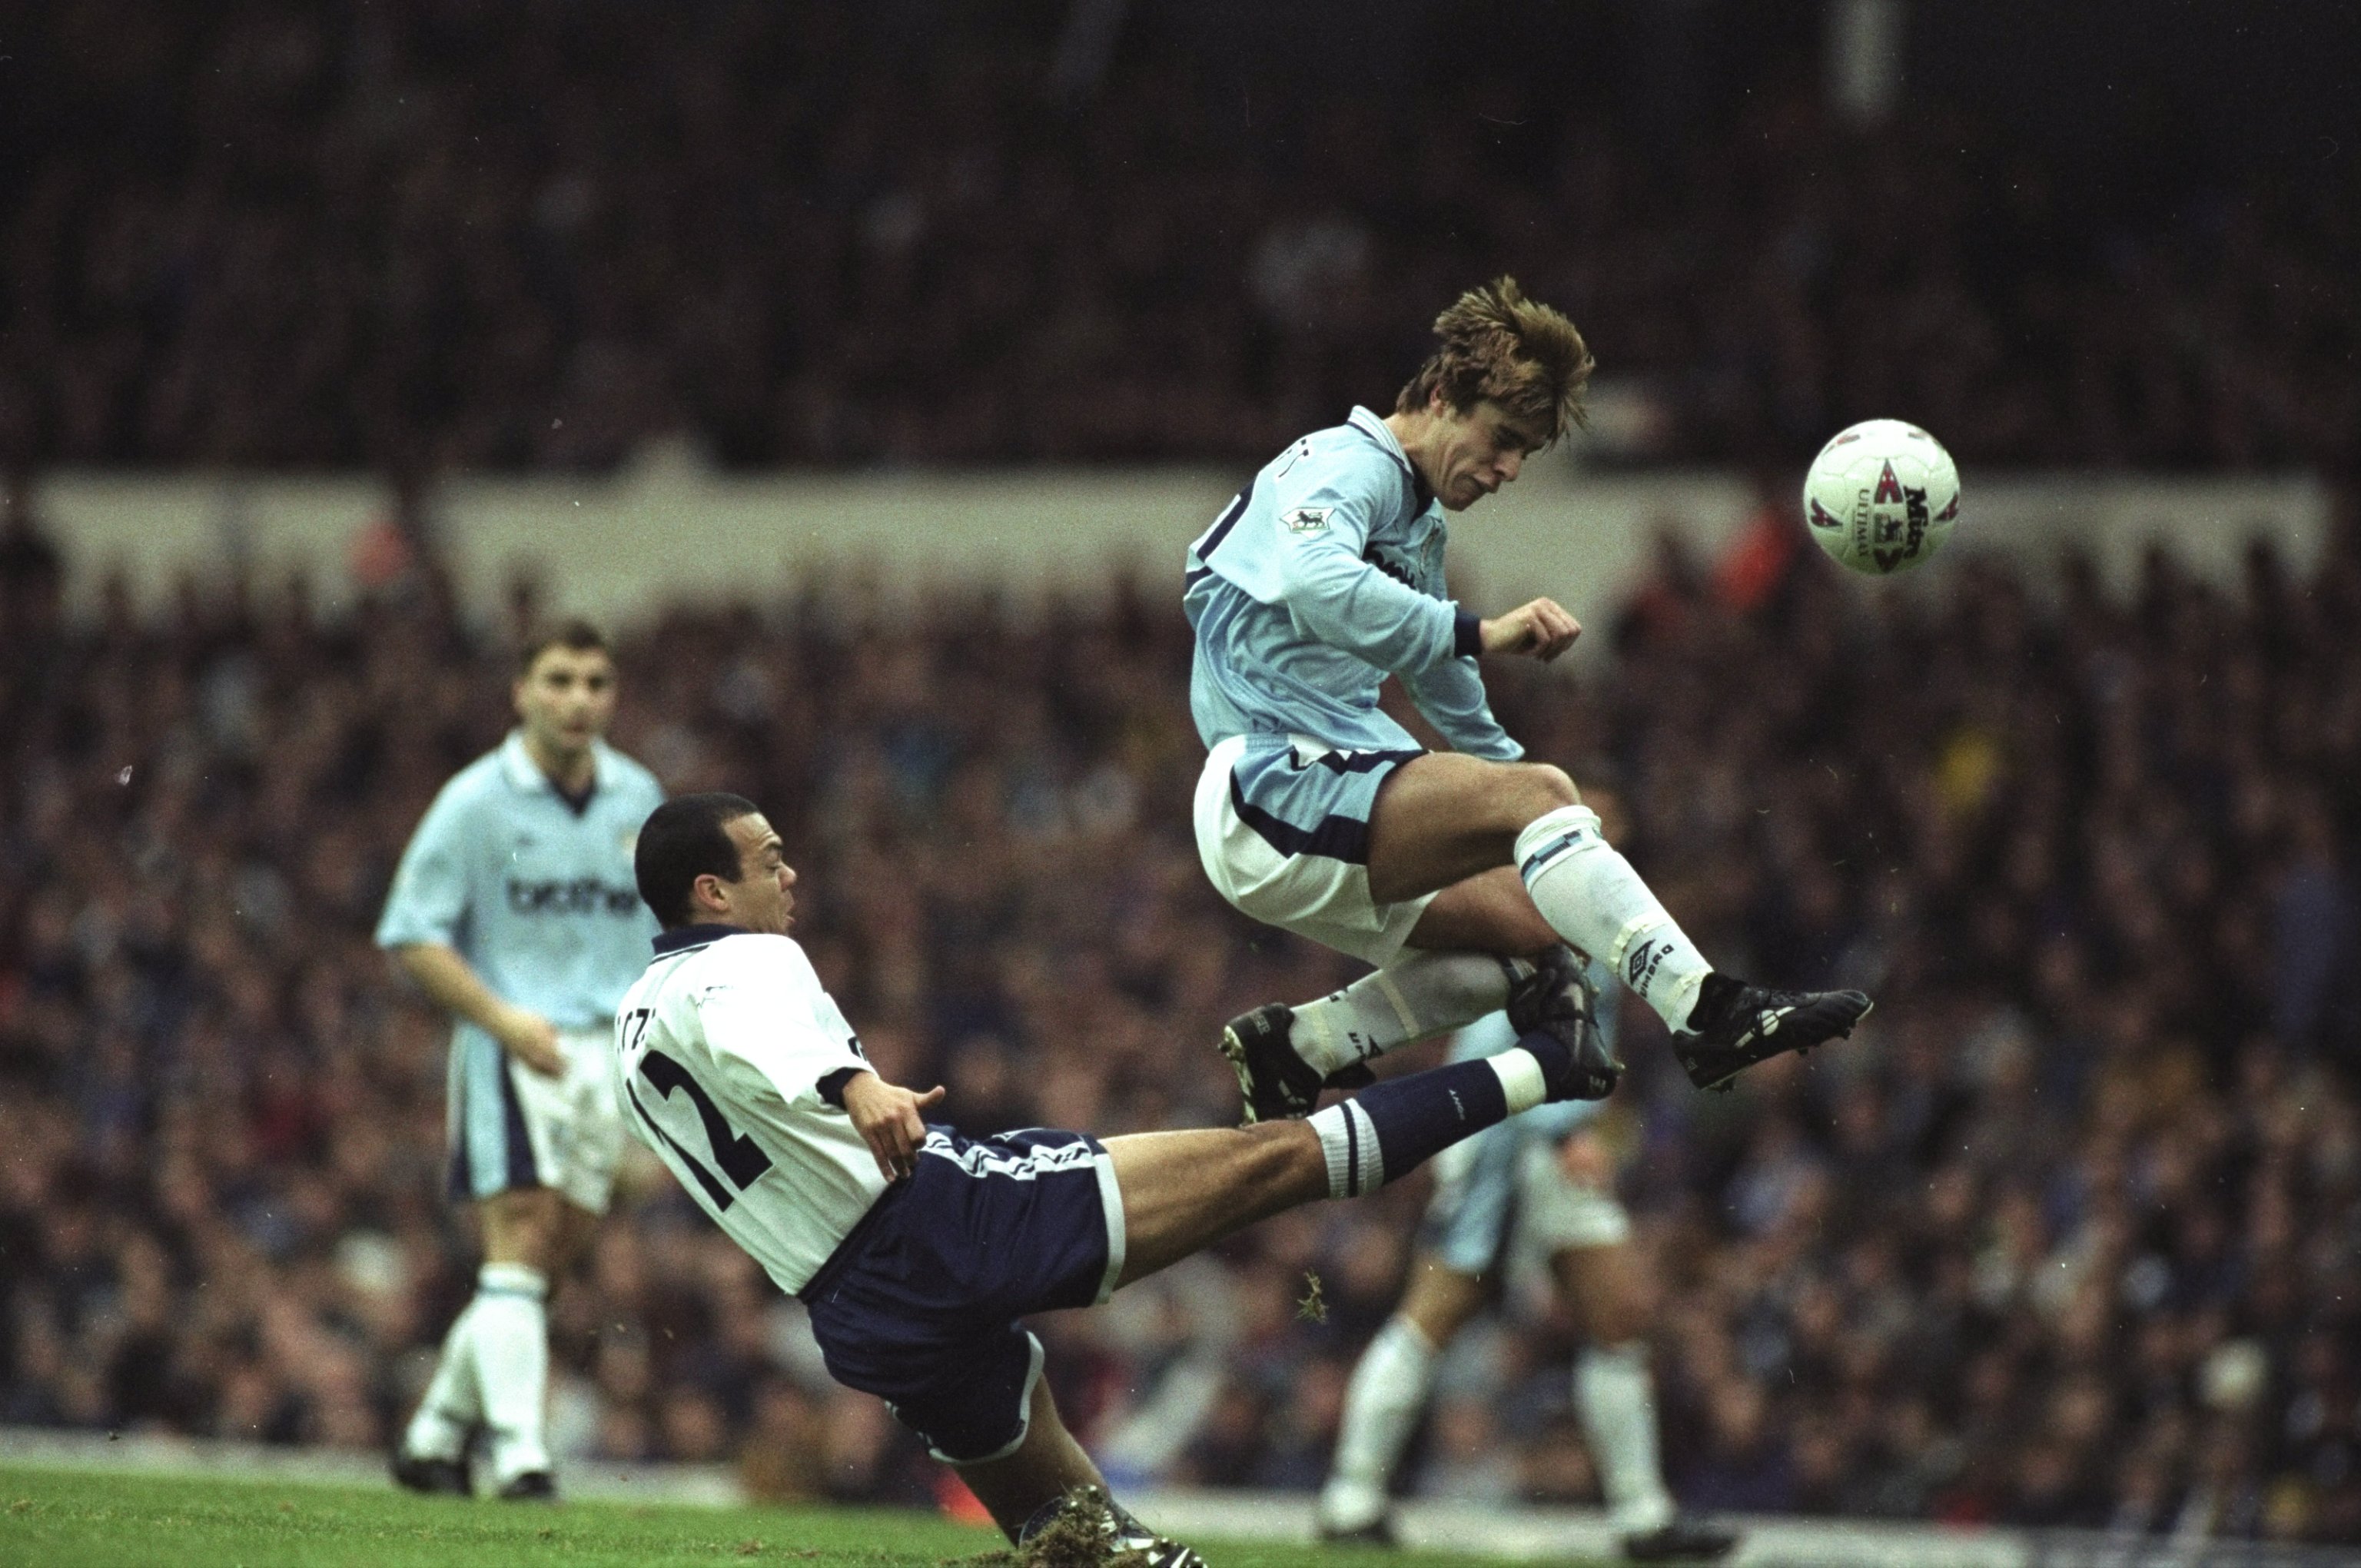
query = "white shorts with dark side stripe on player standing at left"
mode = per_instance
[{"x": 514, "y": 1128}]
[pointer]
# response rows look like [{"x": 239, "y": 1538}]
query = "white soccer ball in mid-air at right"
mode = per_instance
[{"x": 1883, "y": 497}]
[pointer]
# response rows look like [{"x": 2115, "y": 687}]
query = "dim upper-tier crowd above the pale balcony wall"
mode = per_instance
[{"x": 452, "y": 237}]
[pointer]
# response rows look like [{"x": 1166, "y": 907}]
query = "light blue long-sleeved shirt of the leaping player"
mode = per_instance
[{"x": 1316, "y": 582}]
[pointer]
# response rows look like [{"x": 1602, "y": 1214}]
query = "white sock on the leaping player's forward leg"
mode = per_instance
[{"x": 1595, "y": 899}]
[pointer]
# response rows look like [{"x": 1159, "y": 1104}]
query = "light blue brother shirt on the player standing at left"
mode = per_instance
[{"x": 532, "y": 889}]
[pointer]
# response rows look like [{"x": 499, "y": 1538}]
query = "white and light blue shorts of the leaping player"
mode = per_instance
[{"x": 1321, "y": 896}]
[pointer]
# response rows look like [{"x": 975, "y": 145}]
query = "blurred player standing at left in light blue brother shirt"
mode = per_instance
[{"x": 518, "y": 915}]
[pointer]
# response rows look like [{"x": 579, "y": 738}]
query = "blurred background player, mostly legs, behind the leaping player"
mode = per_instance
[{"x": 1543, "y": 1182}]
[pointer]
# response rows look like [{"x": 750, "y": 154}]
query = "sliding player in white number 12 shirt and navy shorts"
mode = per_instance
[{"x": 920, "y": 1250}]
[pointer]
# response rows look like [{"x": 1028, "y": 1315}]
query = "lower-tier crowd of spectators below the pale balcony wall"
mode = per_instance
[{"x": 2069, "y": 1234}]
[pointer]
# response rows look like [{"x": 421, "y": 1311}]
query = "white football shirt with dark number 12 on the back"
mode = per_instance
[{"x": 724, "y": 1047}]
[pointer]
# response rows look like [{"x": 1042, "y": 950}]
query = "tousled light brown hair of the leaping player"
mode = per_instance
[{"x": 1519, "y": 353}]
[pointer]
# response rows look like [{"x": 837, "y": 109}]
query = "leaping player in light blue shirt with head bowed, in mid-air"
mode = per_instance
[{"x": 1460, "y": 875}]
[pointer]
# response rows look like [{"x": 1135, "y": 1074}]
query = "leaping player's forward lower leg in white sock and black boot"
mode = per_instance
[{"x": 1590, "y": 894}]
